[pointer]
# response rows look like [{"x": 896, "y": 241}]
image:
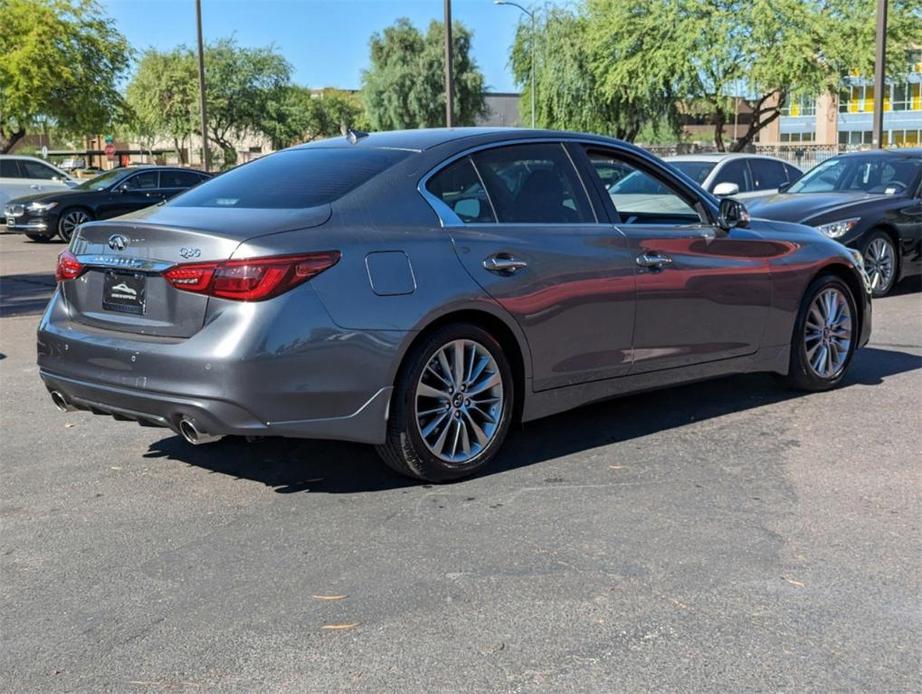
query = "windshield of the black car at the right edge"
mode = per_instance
[{"x": 880, "y": 175}]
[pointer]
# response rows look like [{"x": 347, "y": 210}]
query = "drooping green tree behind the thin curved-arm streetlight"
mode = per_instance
[{"x": 571, "y": 93}]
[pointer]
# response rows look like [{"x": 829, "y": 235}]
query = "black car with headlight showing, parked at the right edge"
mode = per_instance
[{"x": 871, "y": 201}]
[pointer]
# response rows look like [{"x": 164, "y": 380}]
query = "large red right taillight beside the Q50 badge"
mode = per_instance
[{"x": 253, "y": 279}]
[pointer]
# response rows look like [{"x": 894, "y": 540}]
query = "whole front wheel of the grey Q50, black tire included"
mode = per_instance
[{"x": 825, "y": 335}]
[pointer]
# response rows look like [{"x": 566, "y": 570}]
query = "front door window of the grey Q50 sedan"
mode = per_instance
[{"x": 641, "y": 197}]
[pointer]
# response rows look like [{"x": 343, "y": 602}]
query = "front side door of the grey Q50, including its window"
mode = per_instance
[{"x": 702, "y": 294}]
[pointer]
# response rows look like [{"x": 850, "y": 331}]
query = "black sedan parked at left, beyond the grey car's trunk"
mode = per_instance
[{"x": 41, "y": 217}]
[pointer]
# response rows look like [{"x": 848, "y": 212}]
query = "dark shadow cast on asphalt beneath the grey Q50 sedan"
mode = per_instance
[{"x": 329, "y": 467}]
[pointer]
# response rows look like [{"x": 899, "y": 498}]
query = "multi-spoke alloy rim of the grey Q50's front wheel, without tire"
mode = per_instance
[{"x": 828, "y": 333}]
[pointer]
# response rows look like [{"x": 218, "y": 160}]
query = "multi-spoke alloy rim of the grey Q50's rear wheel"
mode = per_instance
[{"x": 459, "y": 401}]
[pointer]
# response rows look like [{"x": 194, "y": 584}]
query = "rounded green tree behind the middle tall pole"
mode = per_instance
[{"x": 404, "y": 87}]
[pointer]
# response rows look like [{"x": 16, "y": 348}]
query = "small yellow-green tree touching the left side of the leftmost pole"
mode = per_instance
[{"x": 163, "y": 97}]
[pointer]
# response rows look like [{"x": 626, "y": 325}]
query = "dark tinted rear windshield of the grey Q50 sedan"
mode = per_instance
[{"x": 292, "y": 179}]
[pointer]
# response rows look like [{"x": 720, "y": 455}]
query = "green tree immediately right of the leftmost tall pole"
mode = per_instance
[{"x": 242, "y": 85}]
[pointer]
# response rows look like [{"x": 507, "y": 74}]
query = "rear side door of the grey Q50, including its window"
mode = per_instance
[{"x": 524, "y": 228}]
